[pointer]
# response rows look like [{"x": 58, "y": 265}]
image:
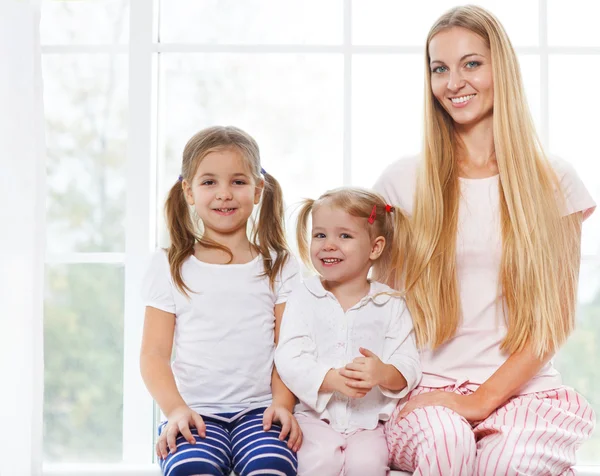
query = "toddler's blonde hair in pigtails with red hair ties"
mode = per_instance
[{"x": 390, "y": 222}]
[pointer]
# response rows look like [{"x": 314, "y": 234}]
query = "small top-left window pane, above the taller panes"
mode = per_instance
[{"x": 84, "y": 22}]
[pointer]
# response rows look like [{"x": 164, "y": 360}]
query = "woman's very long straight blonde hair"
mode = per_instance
[{"x": 540, "y": 251}]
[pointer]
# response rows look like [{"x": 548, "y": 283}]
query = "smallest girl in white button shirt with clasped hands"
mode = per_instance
[{"x": 347, "y": 348}]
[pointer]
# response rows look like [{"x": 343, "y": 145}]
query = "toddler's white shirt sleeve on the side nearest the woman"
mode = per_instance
[{"x": 400, "y": 349}]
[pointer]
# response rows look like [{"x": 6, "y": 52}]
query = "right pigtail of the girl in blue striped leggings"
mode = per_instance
[{"x": 269, "y": 234}]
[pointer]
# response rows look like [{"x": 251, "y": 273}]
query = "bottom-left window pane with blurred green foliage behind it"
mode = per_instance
[{"x": 83, "y": 359}]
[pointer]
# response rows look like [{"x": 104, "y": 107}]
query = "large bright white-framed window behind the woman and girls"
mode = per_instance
[{"x": 331, "y": 90}]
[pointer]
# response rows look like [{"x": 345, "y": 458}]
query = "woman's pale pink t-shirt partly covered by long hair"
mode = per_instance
[{"x": 474, "y": 354}]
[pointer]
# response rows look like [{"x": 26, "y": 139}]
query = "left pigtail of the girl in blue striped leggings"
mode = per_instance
[{"x": 181, "y": 232}]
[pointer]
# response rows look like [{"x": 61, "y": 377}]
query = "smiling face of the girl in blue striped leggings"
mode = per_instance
[{"x": 223, "y": 192}]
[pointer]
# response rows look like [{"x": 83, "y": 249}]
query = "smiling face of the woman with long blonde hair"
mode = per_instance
[{"x": 461, "y": 75}]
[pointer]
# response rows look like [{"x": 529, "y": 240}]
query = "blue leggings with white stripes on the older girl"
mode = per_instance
[{"x": 241, "y": 446}]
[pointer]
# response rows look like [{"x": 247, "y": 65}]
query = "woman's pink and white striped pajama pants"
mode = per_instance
[{"x": 532, "y": 434}]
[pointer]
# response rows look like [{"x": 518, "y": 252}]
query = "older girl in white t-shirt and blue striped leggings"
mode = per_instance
[{"x": 219, "y": 297}]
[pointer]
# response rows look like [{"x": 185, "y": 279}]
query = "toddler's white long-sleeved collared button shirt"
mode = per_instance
[{"x": 317, "y": 335}]
